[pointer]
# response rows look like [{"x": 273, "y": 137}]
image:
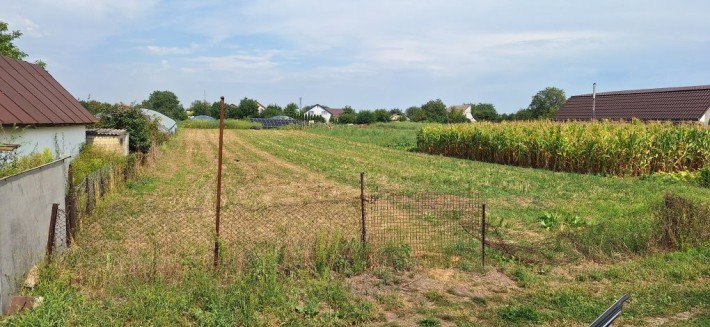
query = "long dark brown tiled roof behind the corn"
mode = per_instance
[{"x": 675, "y": 104}]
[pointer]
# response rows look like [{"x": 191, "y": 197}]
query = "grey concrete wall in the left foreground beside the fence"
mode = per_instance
[{"x": 25, "y": 209}]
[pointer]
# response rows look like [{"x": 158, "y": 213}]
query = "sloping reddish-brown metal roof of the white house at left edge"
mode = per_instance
[{"x": 30, "y": 95}]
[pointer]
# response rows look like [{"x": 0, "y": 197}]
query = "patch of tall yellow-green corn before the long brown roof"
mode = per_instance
[{"x": 607, "y": 148}]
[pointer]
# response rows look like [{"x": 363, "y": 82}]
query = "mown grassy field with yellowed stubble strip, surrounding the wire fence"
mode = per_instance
[{"x": 597, "y": 242}]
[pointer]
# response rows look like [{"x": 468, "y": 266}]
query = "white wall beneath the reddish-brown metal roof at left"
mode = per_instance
[{"x": 64, "y": 140}]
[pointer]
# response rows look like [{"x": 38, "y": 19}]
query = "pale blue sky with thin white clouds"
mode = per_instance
[{"x": 365, "y": 54}]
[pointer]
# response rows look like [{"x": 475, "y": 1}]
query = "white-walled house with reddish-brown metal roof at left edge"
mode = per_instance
[{"x": 36, "y": 112}]
